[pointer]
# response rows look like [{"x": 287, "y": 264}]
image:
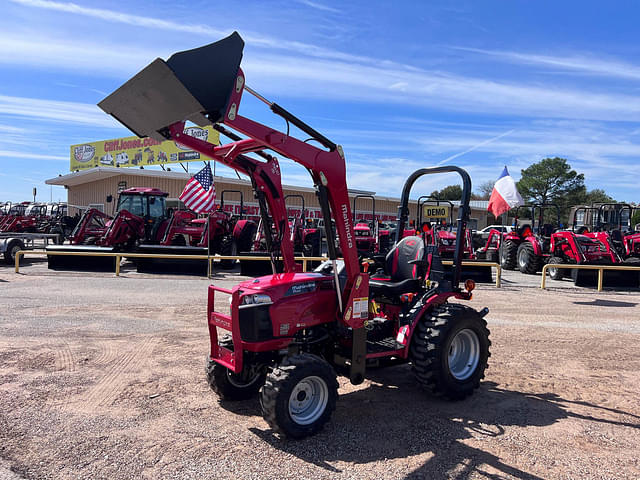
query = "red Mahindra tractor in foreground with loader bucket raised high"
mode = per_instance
[{"x": 293, "y": 332}]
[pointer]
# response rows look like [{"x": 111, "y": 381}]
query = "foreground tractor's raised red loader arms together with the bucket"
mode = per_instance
[{"x": 205, "y": 85}]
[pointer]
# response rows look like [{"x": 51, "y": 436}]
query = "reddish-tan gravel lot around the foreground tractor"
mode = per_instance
[{"x": 102, "y": 377}]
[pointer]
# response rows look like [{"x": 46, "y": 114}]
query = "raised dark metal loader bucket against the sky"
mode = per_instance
[{"x": 192, "y": 85}]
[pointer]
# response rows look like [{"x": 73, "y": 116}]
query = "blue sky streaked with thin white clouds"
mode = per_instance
[{"x": 401, "y": 85}]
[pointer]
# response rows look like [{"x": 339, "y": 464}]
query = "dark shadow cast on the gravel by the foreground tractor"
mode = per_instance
[{"x": 394, "y": 419}]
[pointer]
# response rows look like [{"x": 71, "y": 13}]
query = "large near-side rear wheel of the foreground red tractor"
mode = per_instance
[{"x": 449, "y": 350}]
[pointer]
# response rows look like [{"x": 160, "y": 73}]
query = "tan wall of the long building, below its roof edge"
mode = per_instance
[{"x": 96, "y": 192}]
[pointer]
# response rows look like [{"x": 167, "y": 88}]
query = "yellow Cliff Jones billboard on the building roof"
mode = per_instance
[{"x": 137, "y": 152}]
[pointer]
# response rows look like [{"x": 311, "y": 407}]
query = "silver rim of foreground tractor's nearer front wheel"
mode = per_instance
[{"x": 308, "y": 400}]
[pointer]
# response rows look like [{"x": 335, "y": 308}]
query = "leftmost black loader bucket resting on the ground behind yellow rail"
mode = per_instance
[{"x": 87, "y": 263}]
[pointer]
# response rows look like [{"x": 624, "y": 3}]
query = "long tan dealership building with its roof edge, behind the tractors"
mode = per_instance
[{"x": 91, "y": 187}]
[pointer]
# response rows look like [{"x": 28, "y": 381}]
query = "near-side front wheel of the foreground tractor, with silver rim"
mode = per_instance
[{"x": 299, "y": 395}]
